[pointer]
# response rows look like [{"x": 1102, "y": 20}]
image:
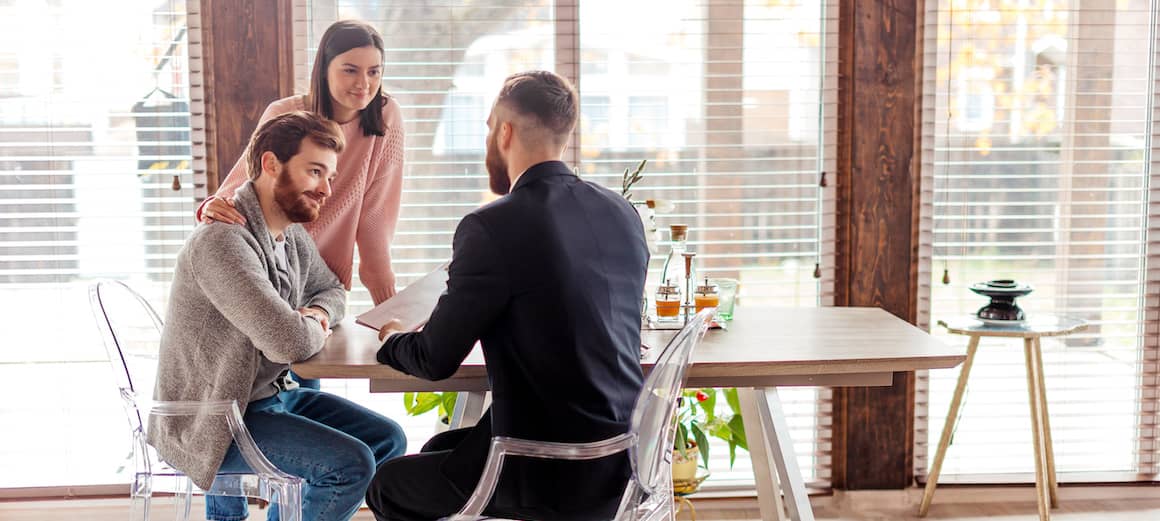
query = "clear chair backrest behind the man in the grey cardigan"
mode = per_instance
[{"x": 132, "y": 332}]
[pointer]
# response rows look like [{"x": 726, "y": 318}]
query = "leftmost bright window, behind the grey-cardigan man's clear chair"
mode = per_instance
[{"x": 95, "y": 182}]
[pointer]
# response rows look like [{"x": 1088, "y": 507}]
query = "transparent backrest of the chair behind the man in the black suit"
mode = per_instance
[{"x": 652, "y": 417}]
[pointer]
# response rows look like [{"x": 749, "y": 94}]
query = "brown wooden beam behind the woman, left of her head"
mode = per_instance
[{"x": 249, "y": 50}]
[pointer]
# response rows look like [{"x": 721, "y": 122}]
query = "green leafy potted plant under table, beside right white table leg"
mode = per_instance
[{"x": 698, "y": 419}]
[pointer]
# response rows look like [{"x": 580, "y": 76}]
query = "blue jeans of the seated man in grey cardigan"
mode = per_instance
[{"x": 333, "y": 444}]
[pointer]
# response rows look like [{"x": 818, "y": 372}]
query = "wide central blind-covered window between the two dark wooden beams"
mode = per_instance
[{"x": 733, "y": 104}]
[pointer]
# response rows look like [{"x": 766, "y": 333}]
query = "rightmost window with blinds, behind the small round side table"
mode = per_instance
[{"x": 1039, "y": 125}]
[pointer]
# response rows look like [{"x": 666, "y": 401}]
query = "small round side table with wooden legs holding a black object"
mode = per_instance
[{"x": 1031, "y": 331}]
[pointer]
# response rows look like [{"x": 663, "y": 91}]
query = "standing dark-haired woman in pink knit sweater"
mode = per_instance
[{"x": 346, "y": 86}]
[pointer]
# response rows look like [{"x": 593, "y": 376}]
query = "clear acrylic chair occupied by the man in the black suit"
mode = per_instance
[{"x": 649, "y": 494}]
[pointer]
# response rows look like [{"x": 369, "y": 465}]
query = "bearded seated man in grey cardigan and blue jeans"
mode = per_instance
[{"x": 246, "y": 302}]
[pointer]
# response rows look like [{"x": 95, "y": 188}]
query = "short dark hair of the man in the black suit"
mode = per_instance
[{"x": 546, "y": 97}]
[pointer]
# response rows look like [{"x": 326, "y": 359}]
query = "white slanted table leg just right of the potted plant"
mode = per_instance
[{"x": 781, "y": 447}]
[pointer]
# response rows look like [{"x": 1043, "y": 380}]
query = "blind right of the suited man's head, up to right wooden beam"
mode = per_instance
[{"x": 728, "y": 102}]
